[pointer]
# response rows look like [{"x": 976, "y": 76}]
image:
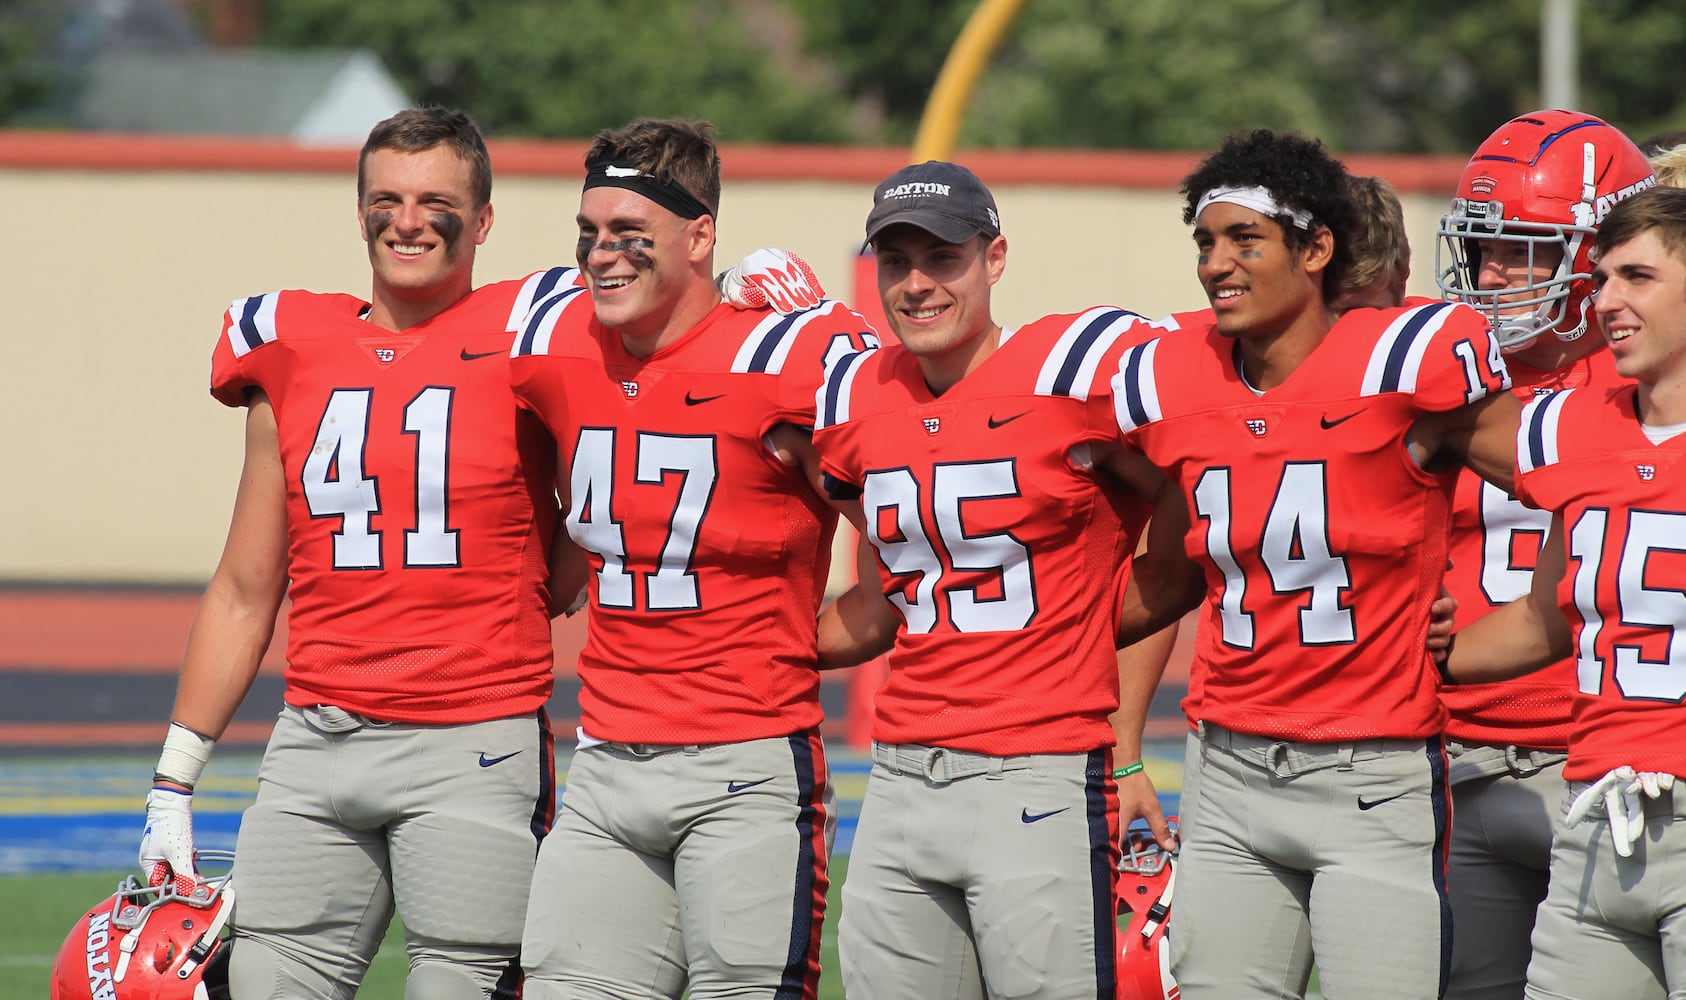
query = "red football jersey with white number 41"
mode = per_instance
[{"x": 421, "y": 502}]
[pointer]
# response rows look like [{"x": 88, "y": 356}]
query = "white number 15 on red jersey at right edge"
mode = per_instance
[{"x": 1646, "y": 608}]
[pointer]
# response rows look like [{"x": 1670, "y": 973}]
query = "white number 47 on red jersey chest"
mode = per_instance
[{"x": 594, "y": 527}]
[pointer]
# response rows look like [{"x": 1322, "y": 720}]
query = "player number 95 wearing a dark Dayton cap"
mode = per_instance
[{"x": 987, "y": 849}]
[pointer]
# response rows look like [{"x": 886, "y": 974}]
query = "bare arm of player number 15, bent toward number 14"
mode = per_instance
[{"x": 1522, "y": 637}]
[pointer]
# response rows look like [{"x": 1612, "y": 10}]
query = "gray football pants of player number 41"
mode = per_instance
[{"x": 357, "y": 819}]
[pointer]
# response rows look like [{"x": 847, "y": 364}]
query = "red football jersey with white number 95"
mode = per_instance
[{"x": 996, "y": 539}]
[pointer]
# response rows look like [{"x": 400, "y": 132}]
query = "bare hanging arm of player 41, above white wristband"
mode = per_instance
[{"x": 237, "y": 616}]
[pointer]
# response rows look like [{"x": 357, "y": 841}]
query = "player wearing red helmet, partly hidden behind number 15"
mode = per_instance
[{"x": 1518, "y": 247}]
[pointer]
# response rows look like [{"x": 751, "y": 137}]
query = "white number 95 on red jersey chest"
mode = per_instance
[{"x": 893, "y": 498}]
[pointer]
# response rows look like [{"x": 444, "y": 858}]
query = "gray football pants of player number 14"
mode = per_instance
[{"x": 1299, "y": 849}]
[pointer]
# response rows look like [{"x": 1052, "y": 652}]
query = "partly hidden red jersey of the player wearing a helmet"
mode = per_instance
[{"x": 1495, "y": 547}]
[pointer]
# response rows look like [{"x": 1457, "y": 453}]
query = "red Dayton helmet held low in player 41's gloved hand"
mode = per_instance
[{"x": 151, "y": 944}]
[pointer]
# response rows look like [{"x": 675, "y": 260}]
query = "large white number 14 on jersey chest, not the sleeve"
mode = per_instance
[{"x": 1294, "y": 551}]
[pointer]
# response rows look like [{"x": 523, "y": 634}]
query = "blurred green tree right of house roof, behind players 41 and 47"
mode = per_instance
[{"x": 569, "y": 70}]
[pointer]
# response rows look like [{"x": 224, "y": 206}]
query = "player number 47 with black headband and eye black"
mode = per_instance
[{"x": 694, "y": 839}]
